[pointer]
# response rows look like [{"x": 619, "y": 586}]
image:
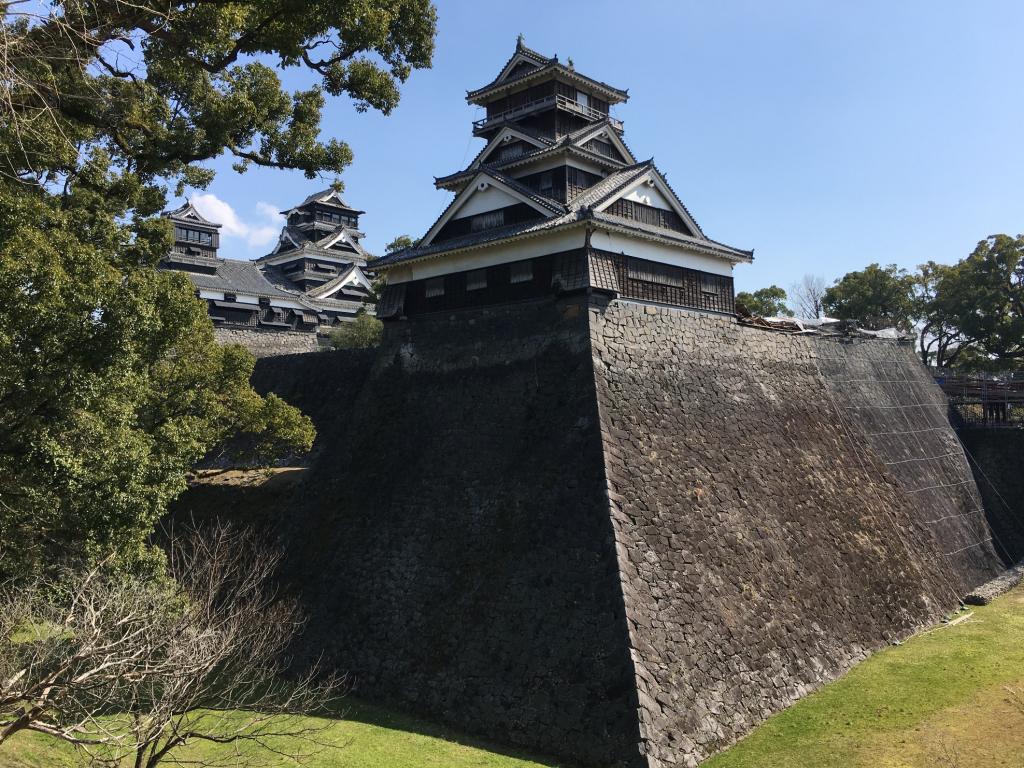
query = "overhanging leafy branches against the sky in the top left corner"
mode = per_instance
[{"x": 162, "y": 87}]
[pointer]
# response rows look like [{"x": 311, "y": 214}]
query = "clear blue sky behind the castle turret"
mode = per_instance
[{"x": 824, "y": 136}]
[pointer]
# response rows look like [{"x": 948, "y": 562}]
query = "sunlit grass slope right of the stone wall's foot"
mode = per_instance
[{"x": 950, "y": 698}]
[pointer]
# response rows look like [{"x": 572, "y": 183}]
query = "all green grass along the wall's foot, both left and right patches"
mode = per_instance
[{"x": 940, "y": 701}]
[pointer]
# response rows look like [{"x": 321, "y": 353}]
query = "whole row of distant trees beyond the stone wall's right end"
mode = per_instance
[{"x": 969, "y": 315}]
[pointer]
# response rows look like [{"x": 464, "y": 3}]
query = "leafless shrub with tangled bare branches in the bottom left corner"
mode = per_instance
[{"x": 129, "y": 667}]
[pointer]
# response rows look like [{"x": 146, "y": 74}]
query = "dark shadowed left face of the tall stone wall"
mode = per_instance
[{"x": 453, "y": 543}]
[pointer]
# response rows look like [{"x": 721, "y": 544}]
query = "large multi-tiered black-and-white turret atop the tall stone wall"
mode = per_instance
[{"x": 557, "y": 202}]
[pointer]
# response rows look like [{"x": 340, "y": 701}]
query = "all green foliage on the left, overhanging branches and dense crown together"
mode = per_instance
[{"x": 111, "y": 383}]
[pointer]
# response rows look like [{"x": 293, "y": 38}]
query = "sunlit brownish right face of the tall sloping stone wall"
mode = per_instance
[{"x": 784, "y": 505}]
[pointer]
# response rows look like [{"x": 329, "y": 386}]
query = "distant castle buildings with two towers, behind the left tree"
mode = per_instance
[{"x": 284, "y": 303}]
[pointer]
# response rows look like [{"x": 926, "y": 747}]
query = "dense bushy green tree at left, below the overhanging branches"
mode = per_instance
[{"x": 111, "y": 382}]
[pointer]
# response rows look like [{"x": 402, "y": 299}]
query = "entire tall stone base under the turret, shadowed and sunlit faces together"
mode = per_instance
[{"x": 622, "y": 535}]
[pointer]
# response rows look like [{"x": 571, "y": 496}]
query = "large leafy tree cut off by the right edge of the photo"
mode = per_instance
[{"x": 983, "y": 297}]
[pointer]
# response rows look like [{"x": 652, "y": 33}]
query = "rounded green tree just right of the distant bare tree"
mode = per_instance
[{"x": 876, "y": 297}]
